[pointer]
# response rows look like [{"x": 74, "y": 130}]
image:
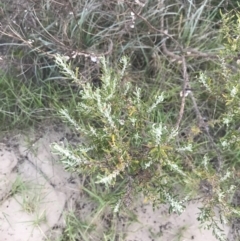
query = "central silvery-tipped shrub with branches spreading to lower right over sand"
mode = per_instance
[{"x": 124, "y": 140}]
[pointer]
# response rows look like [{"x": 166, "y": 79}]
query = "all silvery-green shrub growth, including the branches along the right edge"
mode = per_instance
[{"x": 127, "y": 137}]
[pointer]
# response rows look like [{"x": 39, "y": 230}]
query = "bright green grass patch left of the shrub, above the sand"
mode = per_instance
[{"x": 24, "y": 103}]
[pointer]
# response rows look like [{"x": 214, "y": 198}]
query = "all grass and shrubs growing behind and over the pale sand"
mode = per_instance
[{"x": 152, "y": 88}]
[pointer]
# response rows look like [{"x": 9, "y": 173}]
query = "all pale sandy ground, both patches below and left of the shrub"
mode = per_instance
[{"x": 36, "y": 192}]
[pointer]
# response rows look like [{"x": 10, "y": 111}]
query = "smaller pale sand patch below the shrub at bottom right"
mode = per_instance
[{"x": 160, "y": 225}]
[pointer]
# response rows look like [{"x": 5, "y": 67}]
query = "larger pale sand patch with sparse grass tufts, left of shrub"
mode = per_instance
[{"x": 44, "y": 187}]
